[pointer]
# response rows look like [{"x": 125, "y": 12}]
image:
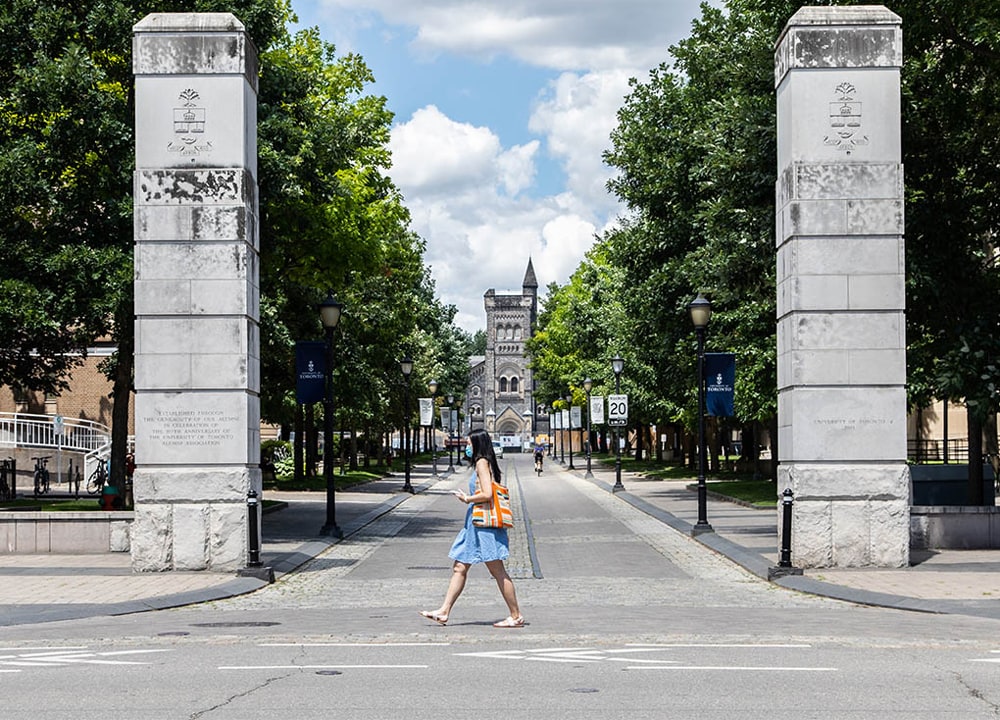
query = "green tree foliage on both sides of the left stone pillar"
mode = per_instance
[{"x": 330, "y": 218}]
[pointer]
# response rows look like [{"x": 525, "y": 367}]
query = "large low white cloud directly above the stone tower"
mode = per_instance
[{"x": 479, "y": 233}]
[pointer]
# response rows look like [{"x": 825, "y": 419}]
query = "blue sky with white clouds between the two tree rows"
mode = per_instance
[{"x": 502, "y": 110}]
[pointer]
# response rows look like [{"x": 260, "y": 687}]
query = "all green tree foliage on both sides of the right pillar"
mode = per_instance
[{"x": 694, "y": 151}]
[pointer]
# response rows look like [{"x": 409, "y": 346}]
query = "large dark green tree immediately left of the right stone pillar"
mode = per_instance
[{"x": 695, "y": 148}]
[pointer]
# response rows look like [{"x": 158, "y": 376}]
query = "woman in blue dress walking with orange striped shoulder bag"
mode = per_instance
[{"x": 479, "y": 544}]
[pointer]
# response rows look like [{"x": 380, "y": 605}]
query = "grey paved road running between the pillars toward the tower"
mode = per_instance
[{"x": 626, "y": 618}]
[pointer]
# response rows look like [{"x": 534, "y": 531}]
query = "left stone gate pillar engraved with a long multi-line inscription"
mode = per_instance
[{"x": 196, "y": 292}]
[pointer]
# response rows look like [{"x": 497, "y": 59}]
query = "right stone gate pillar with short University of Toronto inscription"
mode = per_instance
[{"x": 841, "y": 333}]
